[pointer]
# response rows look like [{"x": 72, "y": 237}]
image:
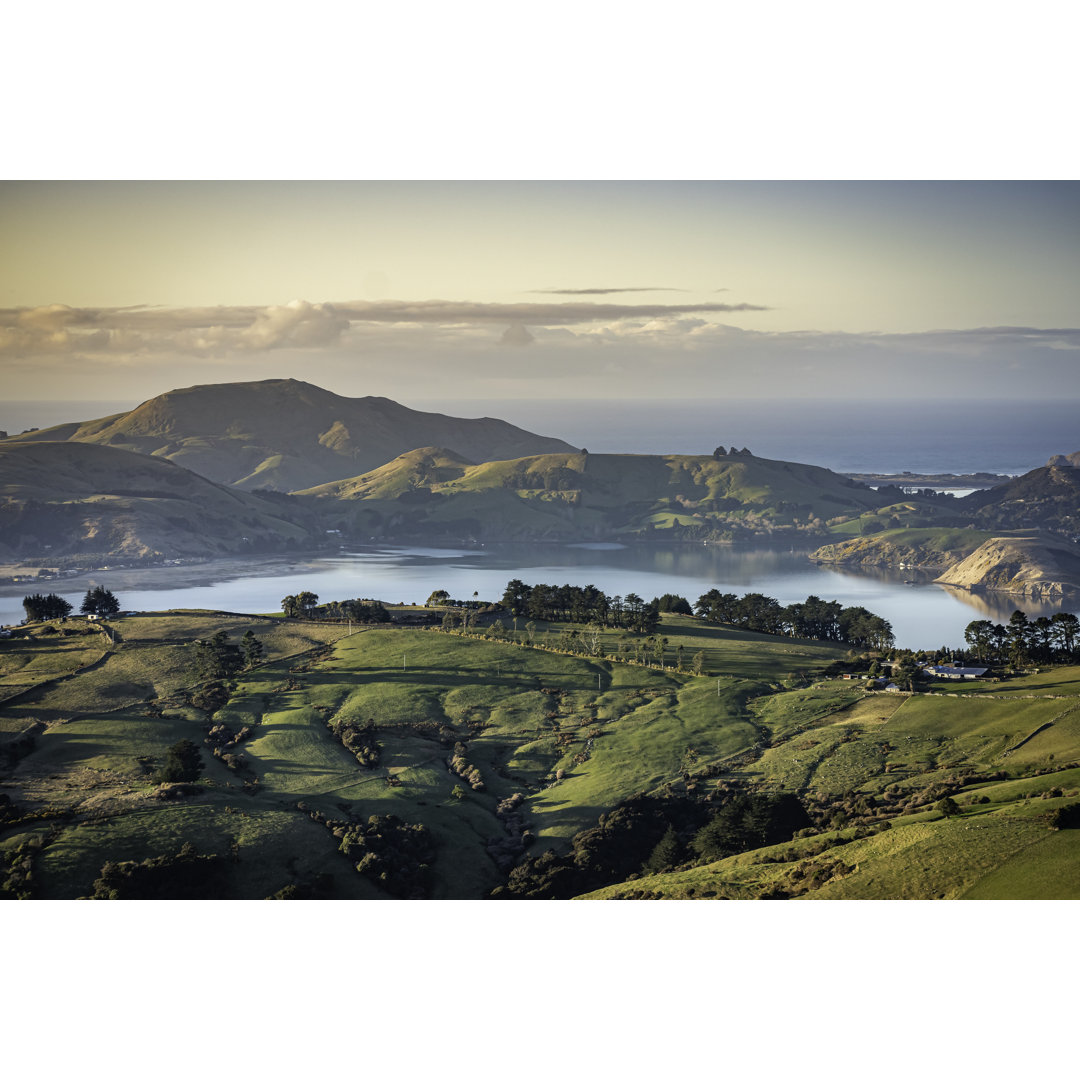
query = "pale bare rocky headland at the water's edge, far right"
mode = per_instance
[{"x": 1027, "y": 568}]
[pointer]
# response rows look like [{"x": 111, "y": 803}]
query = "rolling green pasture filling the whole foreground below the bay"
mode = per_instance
[{"x": 495, "y": 752}]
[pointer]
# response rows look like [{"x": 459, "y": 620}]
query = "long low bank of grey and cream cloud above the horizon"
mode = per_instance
[{"x": 461, "y": 348}]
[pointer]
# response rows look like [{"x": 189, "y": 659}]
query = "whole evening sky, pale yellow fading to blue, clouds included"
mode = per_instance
[{"x": 462, "y": 291}]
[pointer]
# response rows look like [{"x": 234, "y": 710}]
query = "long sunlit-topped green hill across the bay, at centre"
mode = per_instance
[{"x": 433, "y": 492}]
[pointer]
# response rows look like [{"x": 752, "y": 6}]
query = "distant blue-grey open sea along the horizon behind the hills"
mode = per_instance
[{"x": 881, "y": 435}]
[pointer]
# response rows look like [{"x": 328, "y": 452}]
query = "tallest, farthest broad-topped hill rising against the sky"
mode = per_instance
[{"x": 286, "y": 435}]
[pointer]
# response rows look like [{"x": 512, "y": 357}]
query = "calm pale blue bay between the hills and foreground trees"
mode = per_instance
[{"x": 923, "y": 616}]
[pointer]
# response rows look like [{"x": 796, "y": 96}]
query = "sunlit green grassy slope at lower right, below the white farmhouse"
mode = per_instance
[{"x": 997, "y": 849}]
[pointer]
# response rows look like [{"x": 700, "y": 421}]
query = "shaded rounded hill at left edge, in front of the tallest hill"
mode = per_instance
[{"x": 75, "y": 498}]
